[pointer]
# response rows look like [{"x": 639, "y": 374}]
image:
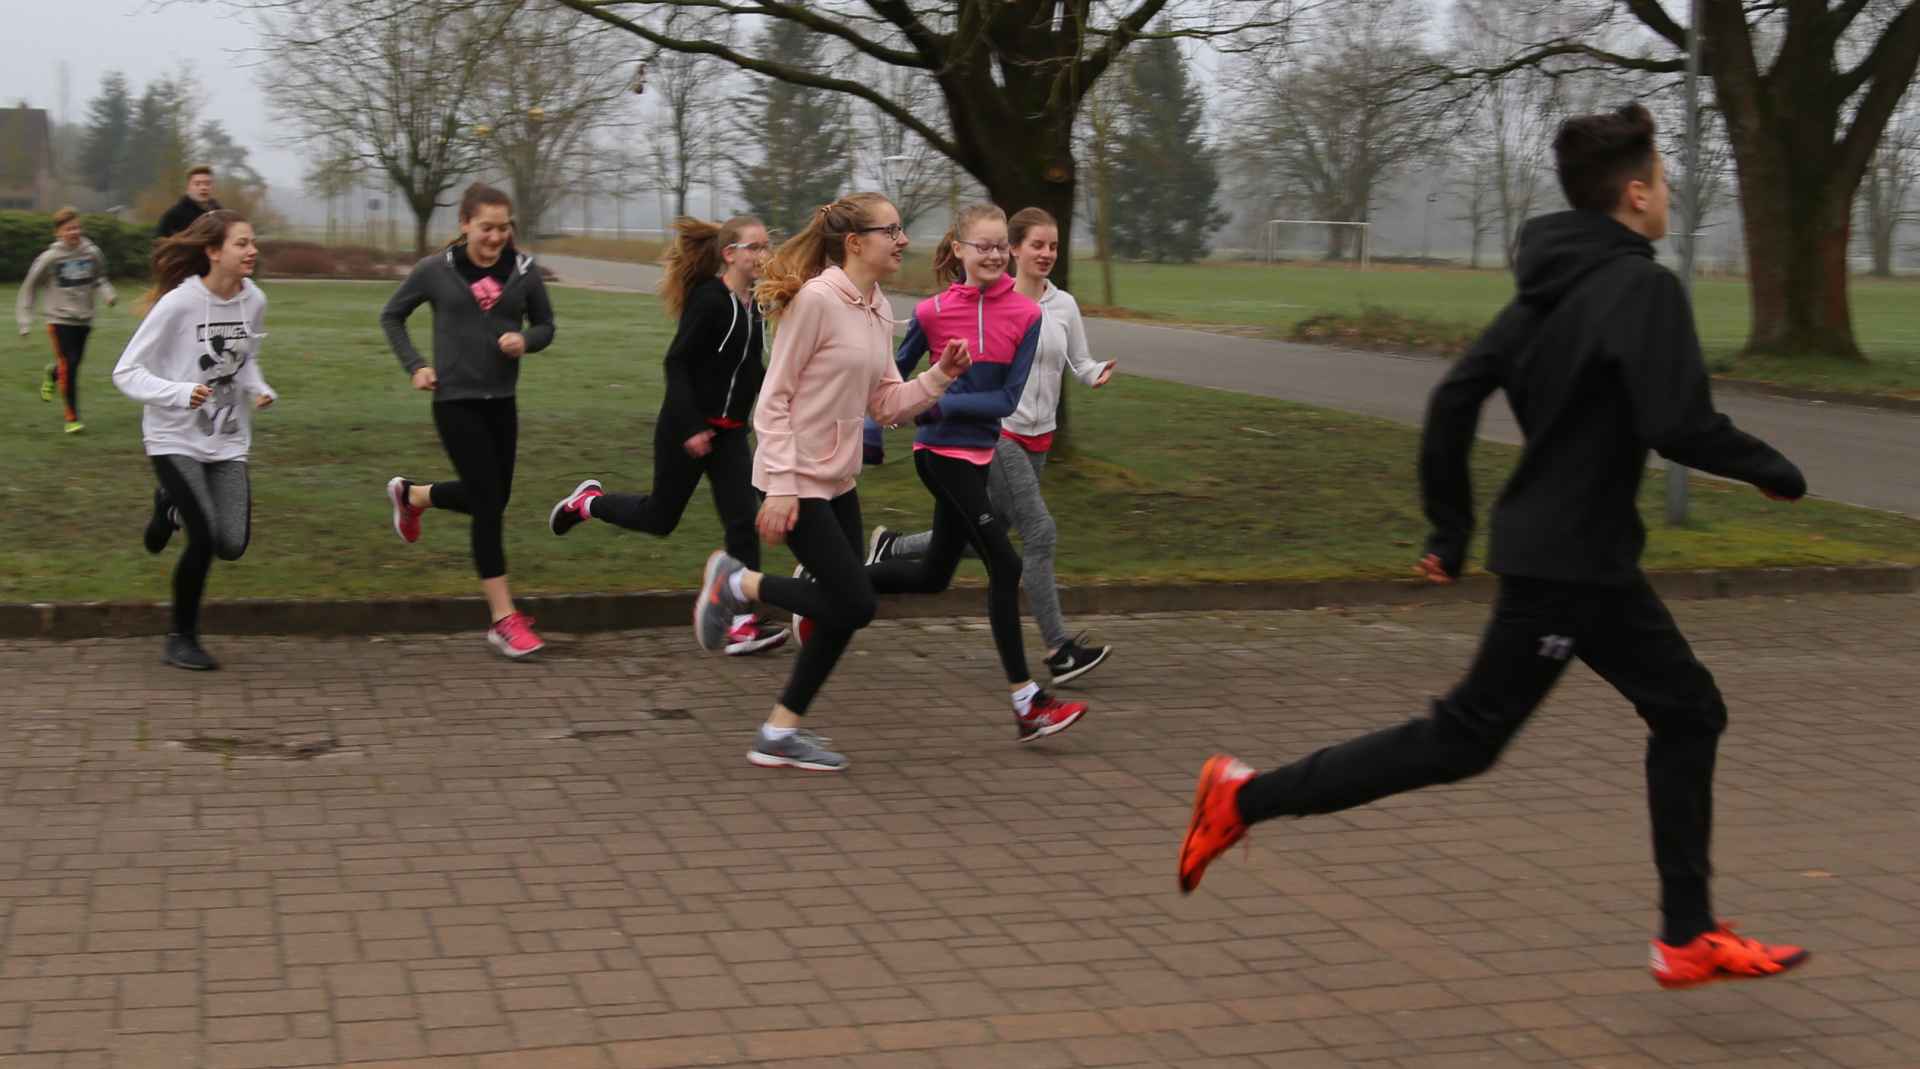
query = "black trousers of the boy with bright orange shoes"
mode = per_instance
[{"x": 1629, "y": 640}]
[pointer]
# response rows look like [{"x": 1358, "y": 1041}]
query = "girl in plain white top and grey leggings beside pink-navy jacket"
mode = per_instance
[{"x": 1026, "y": 439}]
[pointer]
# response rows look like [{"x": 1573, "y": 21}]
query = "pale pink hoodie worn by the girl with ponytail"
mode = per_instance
[{"x": 832, "y": 368}]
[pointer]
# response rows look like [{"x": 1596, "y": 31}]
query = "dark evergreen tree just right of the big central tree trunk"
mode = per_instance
[{"x": 1166, "y": 176}]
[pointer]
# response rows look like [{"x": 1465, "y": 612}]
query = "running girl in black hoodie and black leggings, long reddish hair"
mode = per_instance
[{"x": 713, "y": 381}]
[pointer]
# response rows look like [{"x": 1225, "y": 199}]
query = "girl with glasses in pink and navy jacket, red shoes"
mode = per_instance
[{"x": 959, "y": 437}]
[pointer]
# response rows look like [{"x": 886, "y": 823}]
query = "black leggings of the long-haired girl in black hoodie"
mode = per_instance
[{"x": 729, "y": 471}]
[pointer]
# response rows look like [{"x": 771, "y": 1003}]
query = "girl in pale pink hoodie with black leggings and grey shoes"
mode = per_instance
[{"x": 832, "y": 368}]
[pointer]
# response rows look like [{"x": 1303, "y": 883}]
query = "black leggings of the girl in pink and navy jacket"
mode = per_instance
[{"x": 963, "y": 517}]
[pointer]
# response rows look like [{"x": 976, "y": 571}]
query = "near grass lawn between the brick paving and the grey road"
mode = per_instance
[{"x": 1170, "y": 483}]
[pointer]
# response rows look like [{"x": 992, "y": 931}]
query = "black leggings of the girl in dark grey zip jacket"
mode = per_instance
[{"x": 481, "y": 439}]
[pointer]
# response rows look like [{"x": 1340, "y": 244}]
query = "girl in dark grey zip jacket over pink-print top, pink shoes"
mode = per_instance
[{"x": 491, "y": 310}]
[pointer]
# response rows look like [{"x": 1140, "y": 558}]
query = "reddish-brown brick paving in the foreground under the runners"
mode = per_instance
[{"x": 466, "y": 888}]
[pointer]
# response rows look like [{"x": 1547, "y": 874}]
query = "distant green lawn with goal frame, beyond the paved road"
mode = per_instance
[{"x": 1276, "y": 298}]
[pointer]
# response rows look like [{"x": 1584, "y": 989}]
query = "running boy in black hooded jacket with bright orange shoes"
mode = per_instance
[{"x": 1600, "y": 364}]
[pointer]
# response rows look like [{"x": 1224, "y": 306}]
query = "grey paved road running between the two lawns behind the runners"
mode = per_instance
[{"x": 1850, "y": 454}]
